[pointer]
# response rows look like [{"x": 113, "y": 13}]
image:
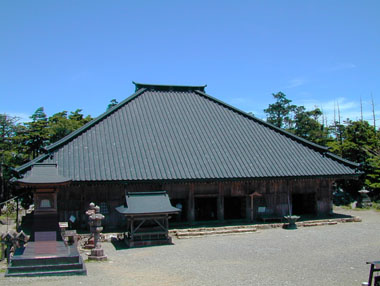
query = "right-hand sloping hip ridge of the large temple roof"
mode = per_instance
[{"x": 282, "y": 131}]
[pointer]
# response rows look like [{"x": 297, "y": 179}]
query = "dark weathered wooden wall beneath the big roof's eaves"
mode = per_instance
[{"x": 74, "y": 199}]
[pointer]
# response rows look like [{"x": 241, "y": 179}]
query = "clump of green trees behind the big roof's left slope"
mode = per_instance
[{"x": 21, "y": 142}]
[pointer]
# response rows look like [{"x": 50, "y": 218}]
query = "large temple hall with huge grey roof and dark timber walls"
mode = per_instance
[{"x": 208, "y": 156}]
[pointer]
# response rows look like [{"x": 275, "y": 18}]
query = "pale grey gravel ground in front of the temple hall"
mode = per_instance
[{"x": 322, "y": 255}]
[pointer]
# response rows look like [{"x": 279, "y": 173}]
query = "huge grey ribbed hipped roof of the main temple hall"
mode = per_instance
[{"x": 181, "y": 133}]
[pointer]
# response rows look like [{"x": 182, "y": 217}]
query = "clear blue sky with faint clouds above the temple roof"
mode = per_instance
[{"x": 65, "y": 55}]
